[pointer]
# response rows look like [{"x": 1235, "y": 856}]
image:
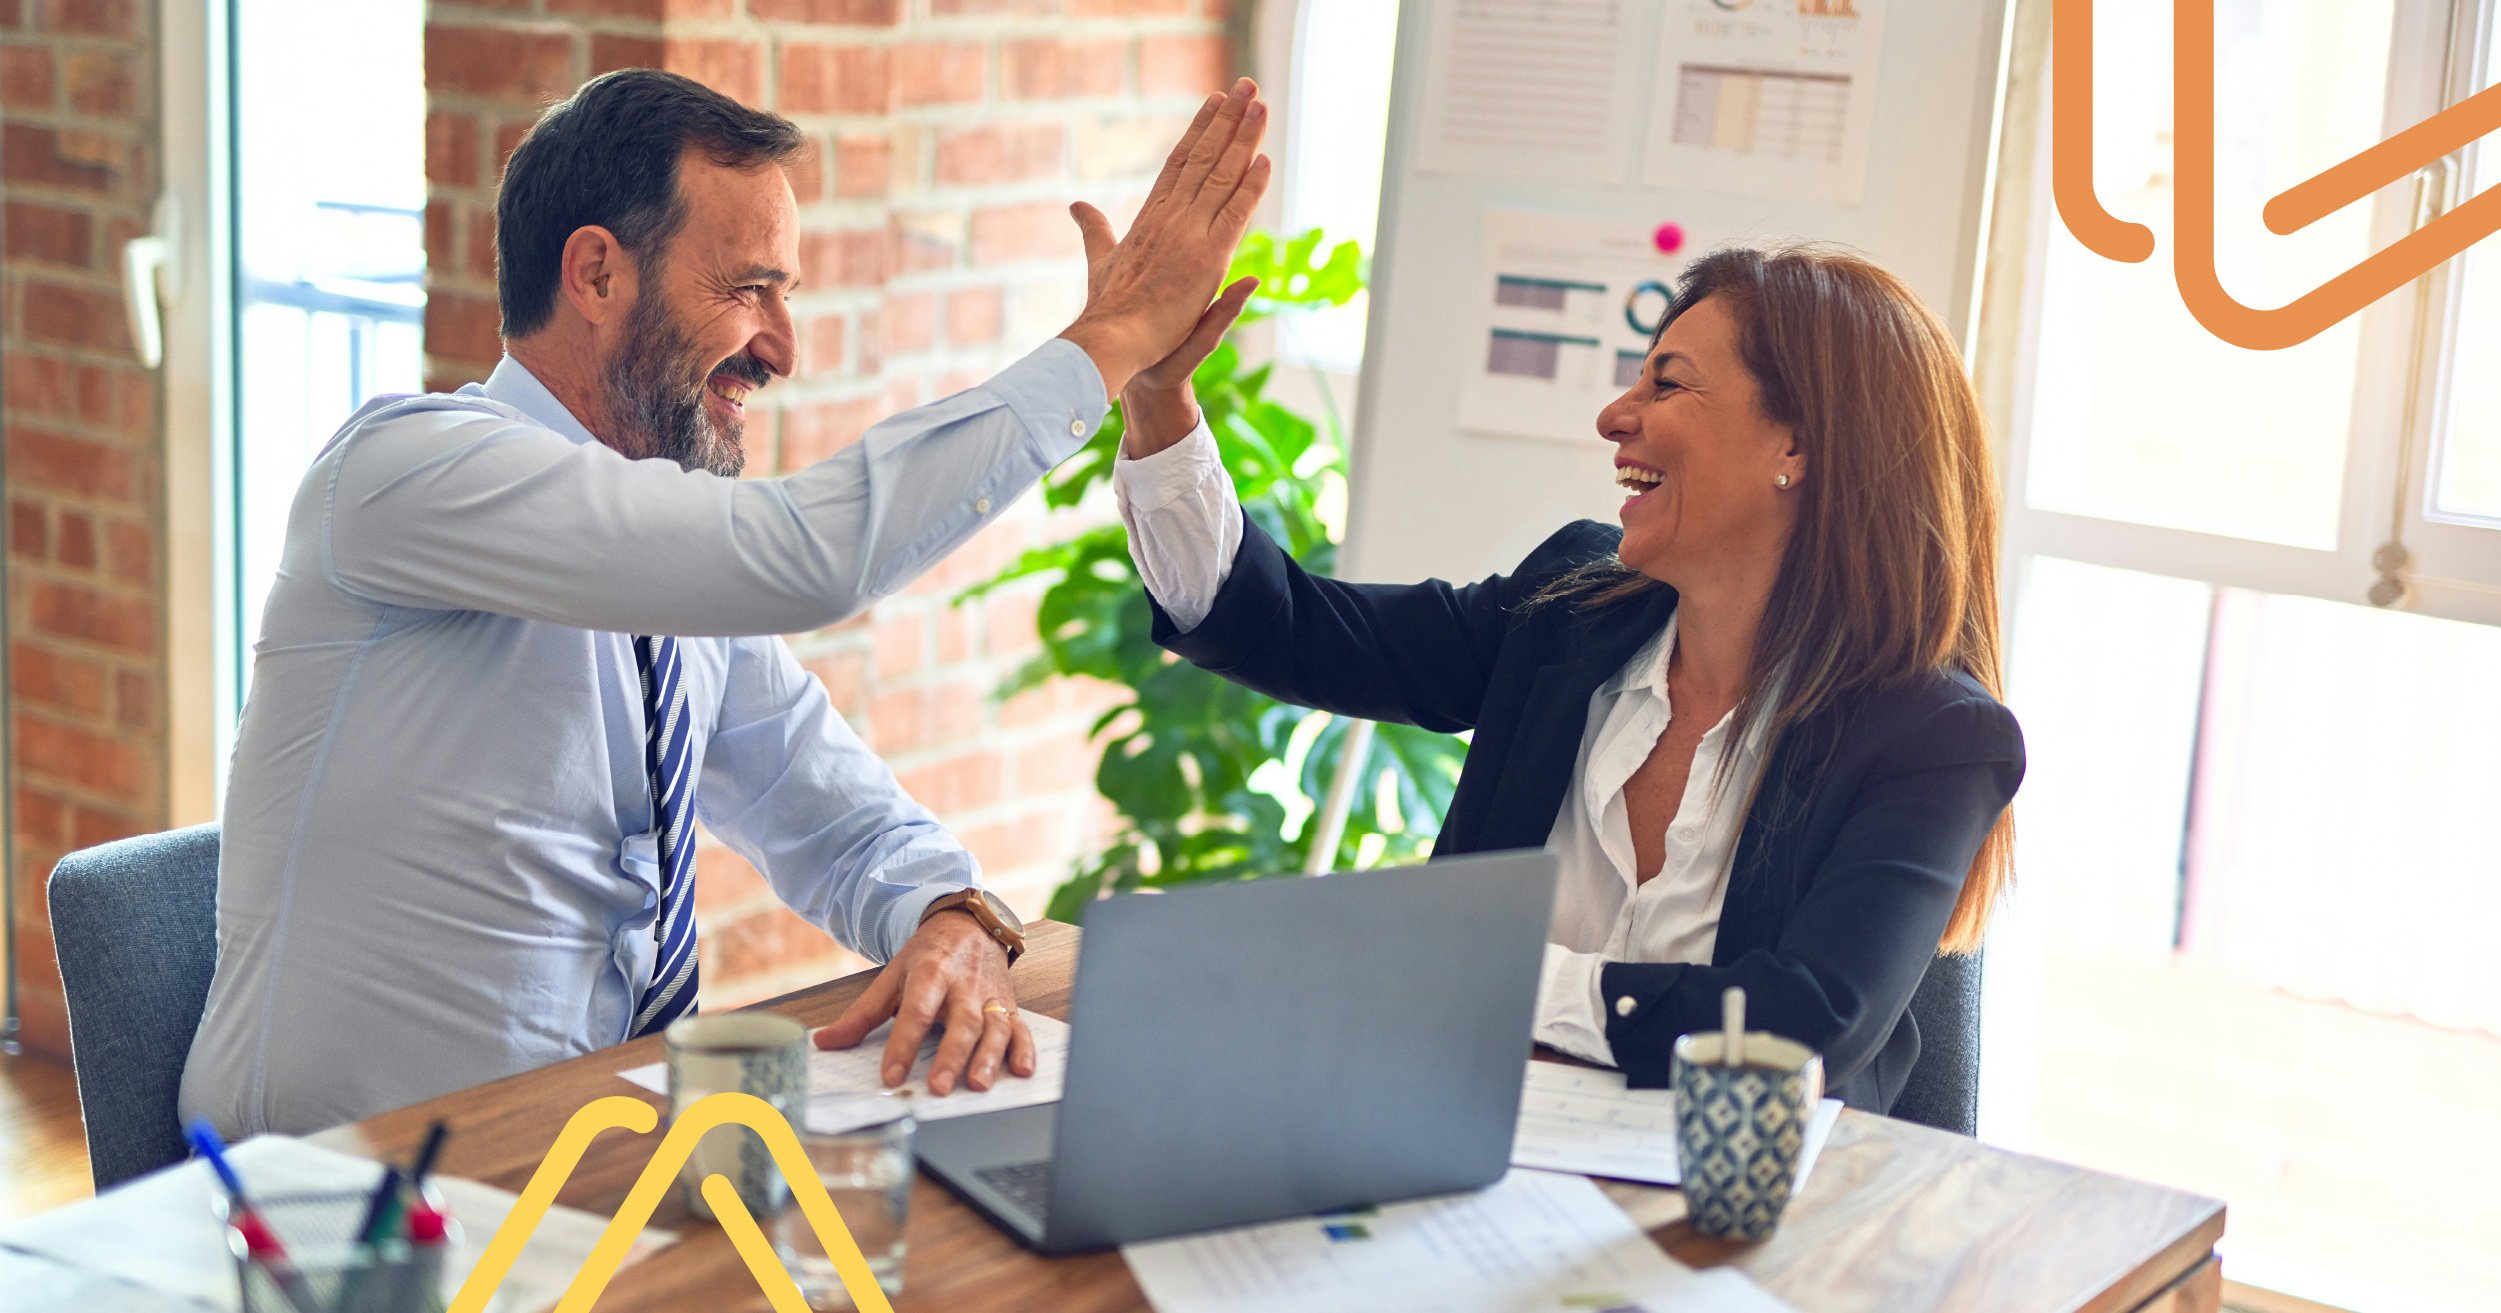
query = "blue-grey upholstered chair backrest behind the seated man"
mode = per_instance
[{"x": 136, "y": 934}]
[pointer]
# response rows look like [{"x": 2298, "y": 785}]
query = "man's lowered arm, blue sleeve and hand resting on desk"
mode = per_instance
[{"x": 794, "y": 792}]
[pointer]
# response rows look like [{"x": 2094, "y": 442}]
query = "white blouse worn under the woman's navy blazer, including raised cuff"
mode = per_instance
[{"x": 1184, "y": 529}]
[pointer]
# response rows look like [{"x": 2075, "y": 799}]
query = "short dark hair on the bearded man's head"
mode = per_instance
[{"x": 609, "y": 156}]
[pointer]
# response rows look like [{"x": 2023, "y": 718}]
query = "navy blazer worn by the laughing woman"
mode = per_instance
[{"x": 1854, "y": 849}]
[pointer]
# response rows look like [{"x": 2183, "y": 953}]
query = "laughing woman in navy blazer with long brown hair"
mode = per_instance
[{"x": 1757, "y": 724}]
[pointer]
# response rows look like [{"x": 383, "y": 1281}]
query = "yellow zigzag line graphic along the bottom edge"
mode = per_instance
[{"x": 632, "y": 1114}]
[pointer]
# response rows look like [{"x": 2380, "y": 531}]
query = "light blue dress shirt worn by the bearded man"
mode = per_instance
[{"x": 439, "y": 862}]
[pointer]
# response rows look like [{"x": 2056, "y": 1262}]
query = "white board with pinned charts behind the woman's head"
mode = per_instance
[{"x": 1434, "y": 499}]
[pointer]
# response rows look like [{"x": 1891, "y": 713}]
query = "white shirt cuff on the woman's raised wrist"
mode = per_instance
[{"x": 1184, "y": 524}]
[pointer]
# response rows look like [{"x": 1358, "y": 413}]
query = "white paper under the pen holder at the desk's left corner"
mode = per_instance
[{"x": 164, "y": 1234}]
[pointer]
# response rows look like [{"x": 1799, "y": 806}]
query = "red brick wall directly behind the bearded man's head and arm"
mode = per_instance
[{"x": 949, "y": 139}]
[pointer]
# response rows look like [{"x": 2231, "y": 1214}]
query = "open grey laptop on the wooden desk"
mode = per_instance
[{"x": 1274, "y": 1049}]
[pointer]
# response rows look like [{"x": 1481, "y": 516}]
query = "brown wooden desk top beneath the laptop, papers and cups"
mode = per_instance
[{"x": 1895, "y": 1219}]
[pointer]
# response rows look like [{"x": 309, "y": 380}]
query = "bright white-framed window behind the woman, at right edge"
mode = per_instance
[{"x": 2255, "y": 879}]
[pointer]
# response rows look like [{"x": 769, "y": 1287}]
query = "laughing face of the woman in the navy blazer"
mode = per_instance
[{"x": 1699, "y": 459}]
